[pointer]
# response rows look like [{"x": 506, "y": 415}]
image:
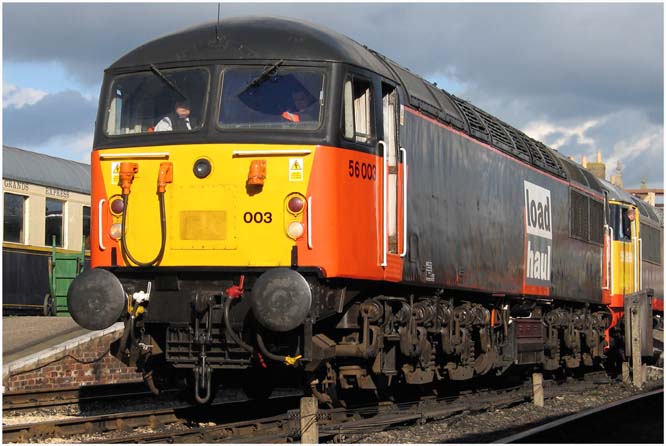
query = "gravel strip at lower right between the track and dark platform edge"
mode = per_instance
[{"x": 492, "y": 425}]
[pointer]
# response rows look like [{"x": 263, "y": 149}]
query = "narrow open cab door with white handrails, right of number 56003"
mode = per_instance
[{"x": 394, "y": 177}]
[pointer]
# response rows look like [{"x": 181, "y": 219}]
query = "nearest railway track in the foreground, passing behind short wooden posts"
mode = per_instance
[{"x": 272, "y": 421}]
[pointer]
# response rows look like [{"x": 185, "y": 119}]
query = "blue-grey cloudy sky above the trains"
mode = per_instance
[{"x": 579, "y": 77}]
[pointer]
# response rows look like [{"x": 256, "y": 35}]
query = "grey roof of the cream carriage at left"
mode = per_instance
[{"x": 45, "y": 170}]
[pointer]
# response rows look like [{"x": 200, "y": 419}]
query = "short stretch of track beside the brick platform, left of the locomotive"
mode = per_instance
[{"x": 74, "y": 395}]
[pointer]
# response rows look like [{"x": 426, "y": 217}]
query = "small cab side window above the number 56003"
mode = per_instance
[{"x": 358, "y": 110}]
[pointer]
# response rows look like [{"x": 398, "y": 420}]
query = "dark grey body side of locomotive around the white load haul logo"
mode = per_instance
[{"x": 467, "y": 218}]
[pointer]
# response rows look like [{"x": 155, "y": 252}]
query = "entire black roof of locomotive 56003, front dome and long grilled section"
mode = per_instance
[{"x": 266, "y": 39}]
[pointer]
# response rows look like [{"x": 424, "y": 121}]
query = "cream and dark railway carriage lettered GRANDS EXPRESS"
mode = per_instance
[{"x": 43, "y": 197}]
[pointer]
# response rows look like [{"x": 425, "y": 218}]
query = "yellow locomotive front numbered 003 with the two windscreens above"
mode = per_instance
[{"x": 238, "y": 204}]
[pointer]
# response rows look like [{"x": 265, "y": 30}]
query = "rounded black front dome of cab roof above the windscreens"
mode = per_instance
[{"x": 252, "y": 38}]
